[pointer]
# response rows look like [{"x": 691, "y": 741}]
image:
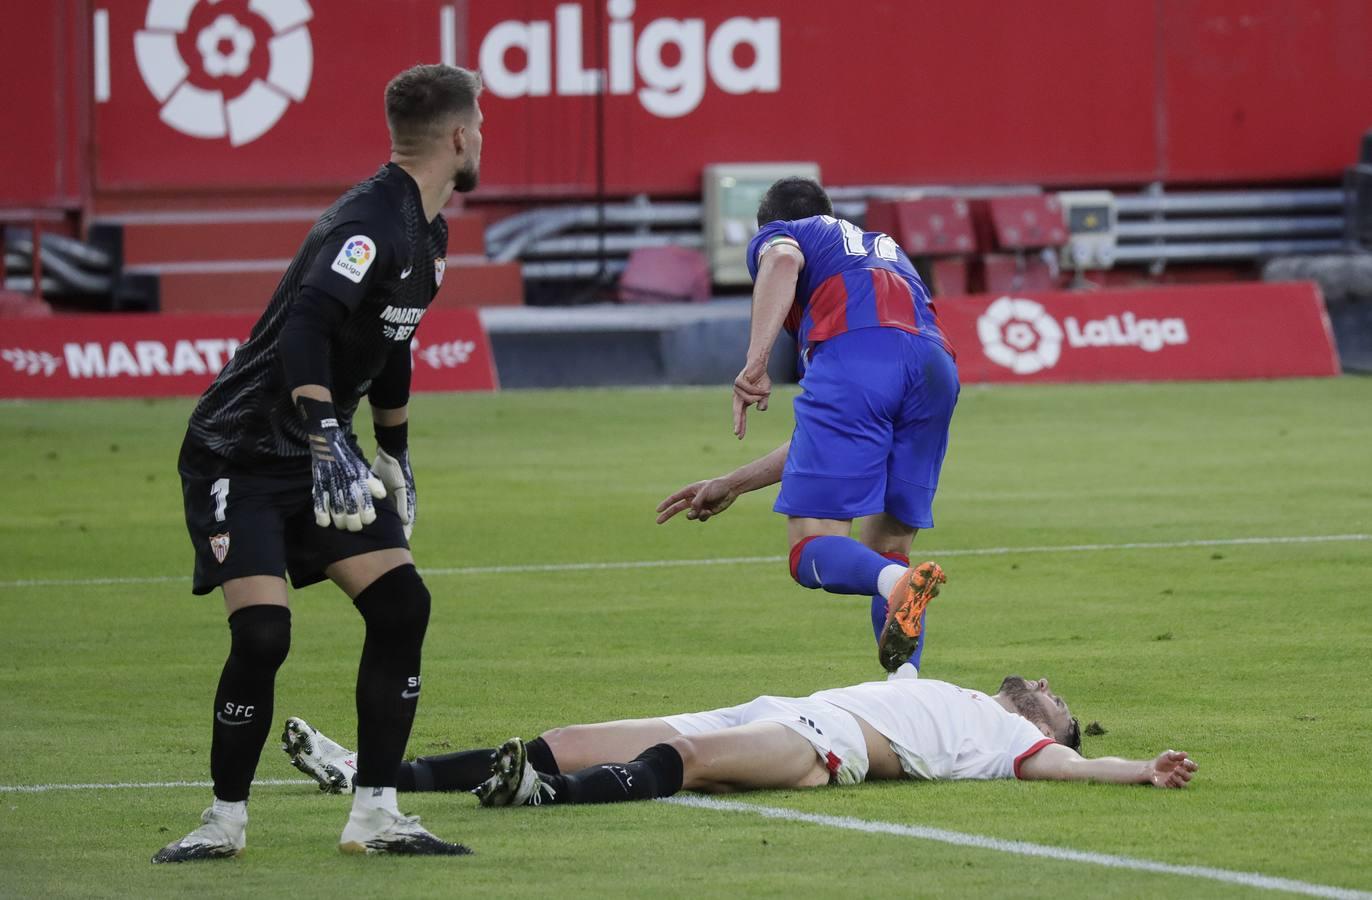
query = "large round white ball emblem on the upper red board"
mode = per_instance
[{"x": 227, "y": 47}]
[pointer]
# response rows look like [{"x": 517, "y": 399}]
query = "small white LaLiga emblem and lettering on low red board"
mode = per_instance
[{"x": 1023, "y": 337}]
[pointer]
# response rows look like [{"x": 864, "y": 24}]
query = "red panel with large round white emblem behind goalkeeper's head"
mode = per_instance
[{"x": 252, "y": 94}]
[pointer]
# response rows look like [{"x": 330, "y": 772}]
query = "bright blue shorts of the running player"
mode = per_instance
[{"x": 872, "y": 429}]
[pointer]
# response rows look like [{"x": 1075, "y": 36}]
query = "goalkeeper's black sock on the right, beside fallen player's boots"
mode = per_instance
[{"x": 396, "y": 610}]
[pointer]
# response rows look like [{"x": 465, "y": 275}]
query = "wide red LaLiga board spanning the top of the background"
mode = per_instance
[{"x": 265, "y": 95}]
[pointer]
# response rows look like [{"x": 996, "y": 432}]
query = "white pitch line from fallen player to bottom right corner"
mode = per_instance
[{"x": 1024, "y": 849}]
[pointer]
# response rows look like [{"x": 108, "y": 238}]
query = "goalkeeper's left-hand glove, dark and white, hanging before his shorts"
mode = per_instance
[{"x": 344, "y": 486}]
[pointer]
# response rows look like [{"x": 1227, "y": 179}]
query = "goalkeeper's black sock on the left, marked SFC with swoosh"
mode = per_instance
[{"x": 260, "y": 640}]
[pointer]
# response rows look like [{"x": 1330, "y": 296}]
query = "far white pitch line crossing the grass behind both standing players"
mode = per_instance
[{"x": 744, "y": 560}]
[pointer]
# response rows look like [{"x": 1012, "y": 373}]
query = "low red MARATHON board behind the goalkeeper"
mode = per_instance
[{"x": 179, "y": 356}]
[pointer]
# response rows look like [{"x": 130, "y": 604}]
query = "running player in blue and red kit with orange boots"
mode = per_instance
[{"x": 872, "y": 423}]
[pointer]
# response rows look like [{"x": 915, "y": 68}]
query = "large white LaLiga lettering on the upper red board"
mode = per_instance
[{"x": 670, "y": 90}]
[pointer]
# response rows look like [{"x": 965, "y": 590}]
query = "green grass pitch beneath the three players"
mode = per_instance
[{"x": 1255, "y": 658}]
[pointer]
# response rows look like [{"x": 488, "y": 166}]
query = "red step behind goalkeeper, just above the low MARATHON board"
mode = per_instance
[{"x": 248, "y": 285}]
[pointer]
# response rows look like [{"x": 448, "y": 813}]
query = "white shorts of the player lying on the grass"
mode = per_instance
[{"x": 835, "y": 733}]
